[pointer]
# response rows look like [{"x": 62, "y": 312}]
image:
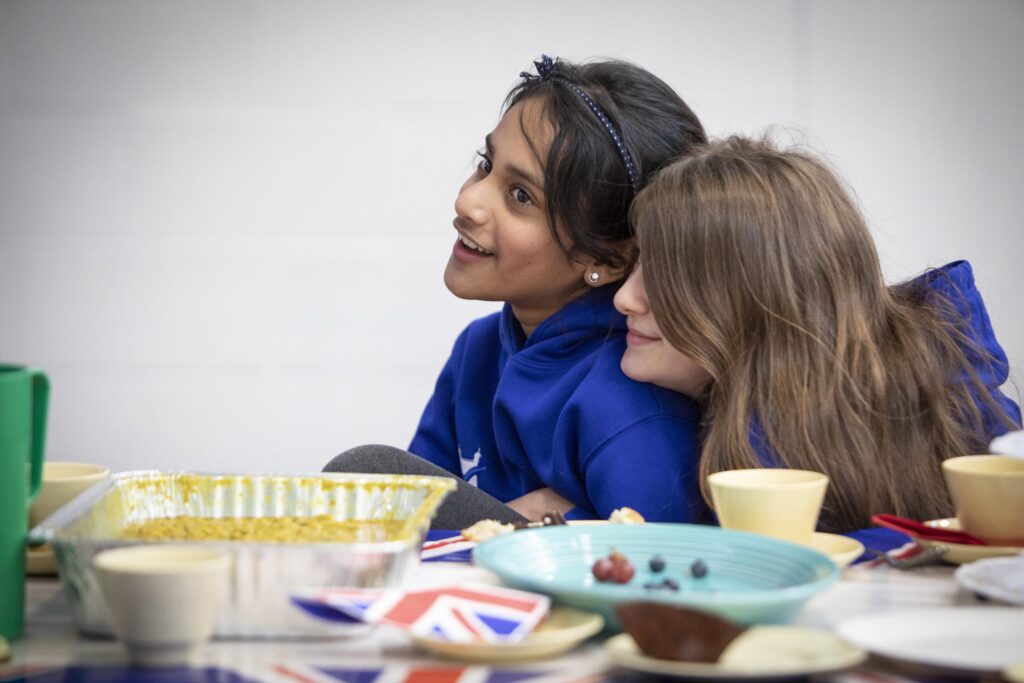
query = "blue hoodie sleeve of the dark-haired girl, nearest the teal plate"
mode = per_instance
[{"x": 652, "y": 467}]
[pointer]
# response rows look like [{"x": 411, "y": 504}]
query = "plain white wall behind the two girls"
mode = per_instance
[{"x": 224, "y": 225}]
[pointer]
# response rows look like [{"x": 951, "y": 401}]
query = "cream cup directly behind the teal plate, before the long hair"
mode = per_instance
[{"x": 774, "y": 502}]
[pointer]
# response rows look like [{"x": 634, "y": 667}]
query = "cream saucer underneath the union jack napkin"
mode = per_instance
[{"x": 562, "y": 630}]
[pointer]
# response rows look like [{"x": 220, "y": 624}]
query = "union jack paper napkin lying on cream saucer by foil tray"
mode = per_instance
[{"x": 463, "y": 614}]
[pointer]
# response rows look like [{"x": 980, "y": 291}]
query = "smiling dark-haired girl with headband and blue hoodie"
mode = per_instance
[{"x": 532, "y": 408}]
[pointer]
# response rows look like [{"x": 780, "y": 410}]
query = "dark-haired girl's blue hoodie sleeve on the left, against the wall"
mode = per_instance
[{"x": 436, "y": 438}]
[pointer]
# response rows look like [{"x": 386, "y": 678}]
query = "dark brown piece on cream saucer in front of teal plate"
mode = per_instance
[{"x": 669, "y": 632}]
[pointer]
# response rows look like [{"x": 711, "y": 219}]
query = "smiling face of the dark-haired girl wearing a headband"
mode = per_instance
[{"x": 505, "y": 250}]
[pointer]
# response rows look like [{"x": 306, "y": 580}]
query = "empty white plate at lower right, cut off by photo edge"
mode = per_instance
[{"x": 968, "y": 638}]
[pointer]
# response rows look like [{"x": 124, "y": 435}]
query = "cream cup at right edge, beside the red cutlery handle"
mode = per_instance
[{"x": 989, "y": 493}]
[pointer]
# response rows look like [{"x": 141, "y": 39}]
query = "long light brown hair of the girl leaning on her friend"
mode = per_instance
[{"x": 759, "y": 266}]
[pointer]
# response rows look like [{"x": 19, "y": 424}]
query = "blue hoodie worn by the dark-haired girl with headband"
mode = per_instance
[{"x": 511, "y": 415}]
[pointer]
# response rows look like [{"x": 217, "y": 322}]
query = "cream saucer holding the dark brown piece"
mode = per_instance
[{"x": 762, "y": 653}]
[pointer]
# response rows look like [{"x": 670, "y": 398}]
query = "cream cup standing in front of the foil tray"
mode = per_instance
[{"x": 164, "y": 600}]
